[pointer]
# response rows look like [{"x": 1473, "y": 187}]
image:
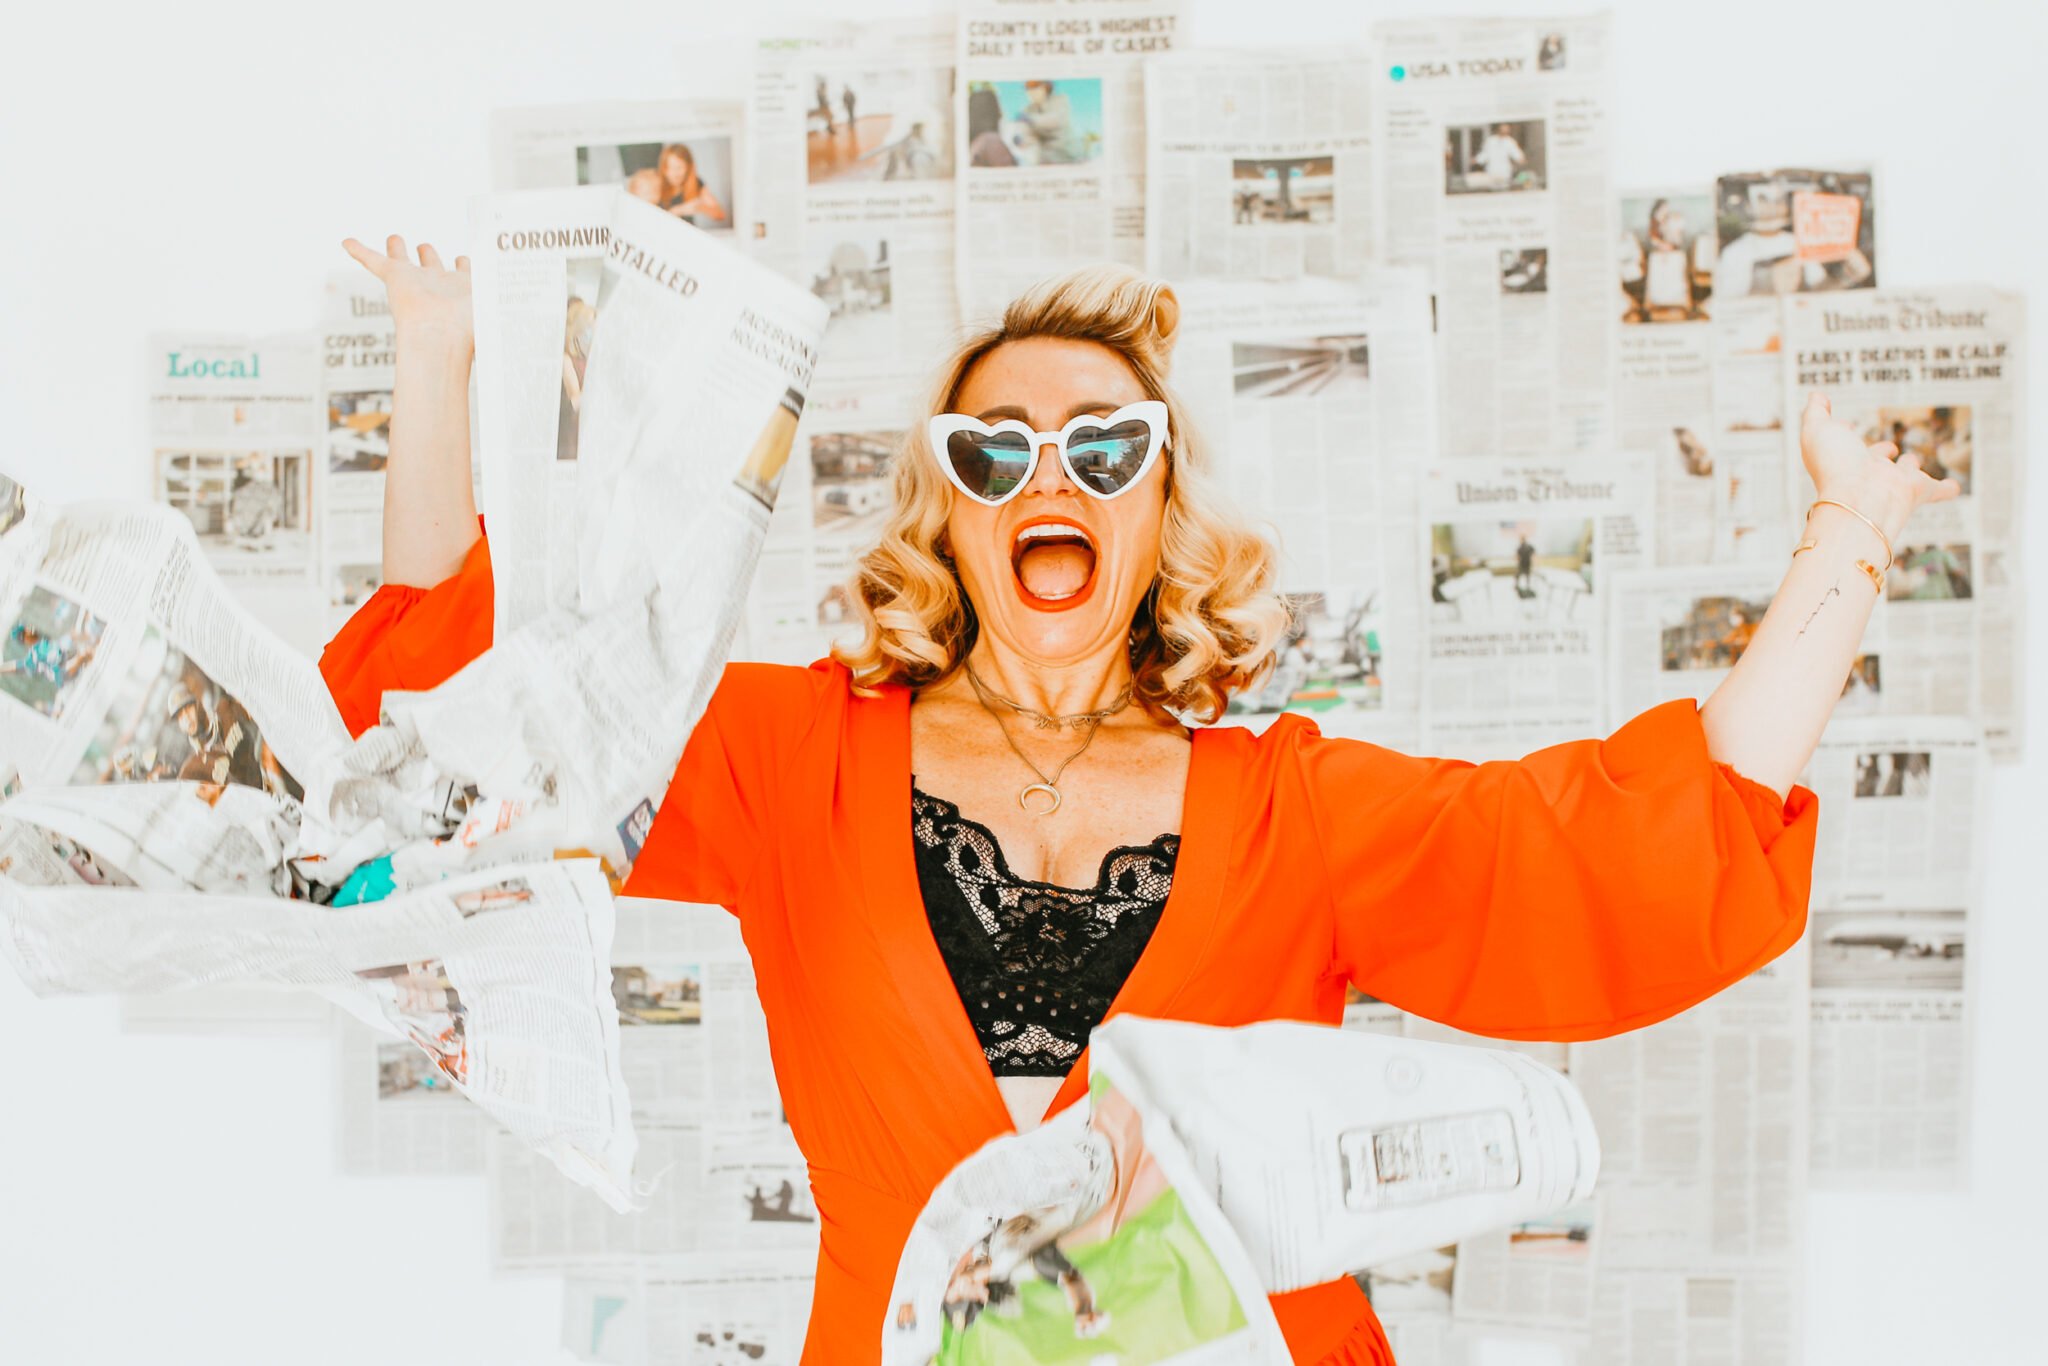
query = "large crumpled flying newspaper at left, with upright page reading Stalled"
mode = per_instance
[{"x": 185, "y": 806}]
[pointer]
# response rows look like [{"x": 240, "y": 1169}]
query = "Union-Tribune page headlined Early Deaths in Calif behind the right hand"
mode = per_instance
[{"x": 1943, "y": 376}]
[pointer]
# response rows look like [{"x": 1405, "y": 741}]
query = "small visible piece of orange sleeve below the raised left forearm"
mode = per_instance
[{"x": 411, "y": 638}]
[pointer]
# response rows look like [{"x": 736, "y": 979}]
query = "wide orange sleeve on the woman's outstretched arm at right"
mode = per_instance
[{"x": 1586, "y": 890}]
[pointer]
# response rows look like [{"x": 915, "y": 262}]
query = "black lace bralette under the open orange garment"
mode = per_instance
[{"x": 1037, "y": 966}]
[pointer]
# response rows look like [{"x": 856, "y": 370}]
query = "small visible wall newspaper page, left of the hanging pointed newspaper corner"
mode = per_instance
[{"x": 396, "y": 1113}]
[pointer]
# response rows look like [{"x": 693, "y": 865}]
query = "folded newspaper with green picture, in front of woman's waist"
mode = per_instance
[{"x": 1215, "y": 1166}]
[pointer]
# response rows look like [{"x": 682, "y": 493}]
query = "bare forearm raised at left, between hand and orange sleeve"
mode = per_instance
[{"x": 431, "y": 515}]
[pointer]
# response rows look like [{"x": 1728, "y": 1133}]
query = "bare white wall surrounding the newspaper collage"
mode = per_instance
[{"x": 196, "y": 167}]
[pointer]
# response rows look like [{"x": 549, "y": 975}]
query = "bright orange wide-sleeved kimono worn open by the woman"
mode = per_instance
[{"x": 1586, "y": 890}]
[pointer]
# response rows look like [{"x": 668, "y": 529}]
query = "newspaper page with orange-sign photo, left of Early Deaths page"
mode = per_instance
[{"x": 1783, "y": 232}]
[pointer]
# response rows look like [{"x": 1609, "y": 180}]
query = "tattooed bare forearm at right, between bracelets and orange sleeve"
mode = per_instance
[{"x": 1768, "y": 714}]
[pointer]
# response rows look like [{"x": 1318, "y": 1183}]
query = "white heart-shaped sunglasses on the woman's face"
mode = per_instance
[{"x": 1103, "y": 456}]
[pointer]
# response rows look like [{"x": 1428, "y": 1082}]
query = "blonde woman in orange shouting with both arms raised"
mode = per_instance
[{"x": 959, "y": 845}]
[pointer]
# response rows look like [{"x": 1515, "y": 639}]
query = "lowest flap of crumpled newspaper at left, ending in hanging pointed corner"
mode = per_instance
[{"x": 499, "y": 978}]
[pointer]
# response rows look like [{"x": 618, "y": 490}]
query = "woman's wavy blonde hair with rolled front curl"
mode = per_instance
[{"x": 1211, "y": 624}]
